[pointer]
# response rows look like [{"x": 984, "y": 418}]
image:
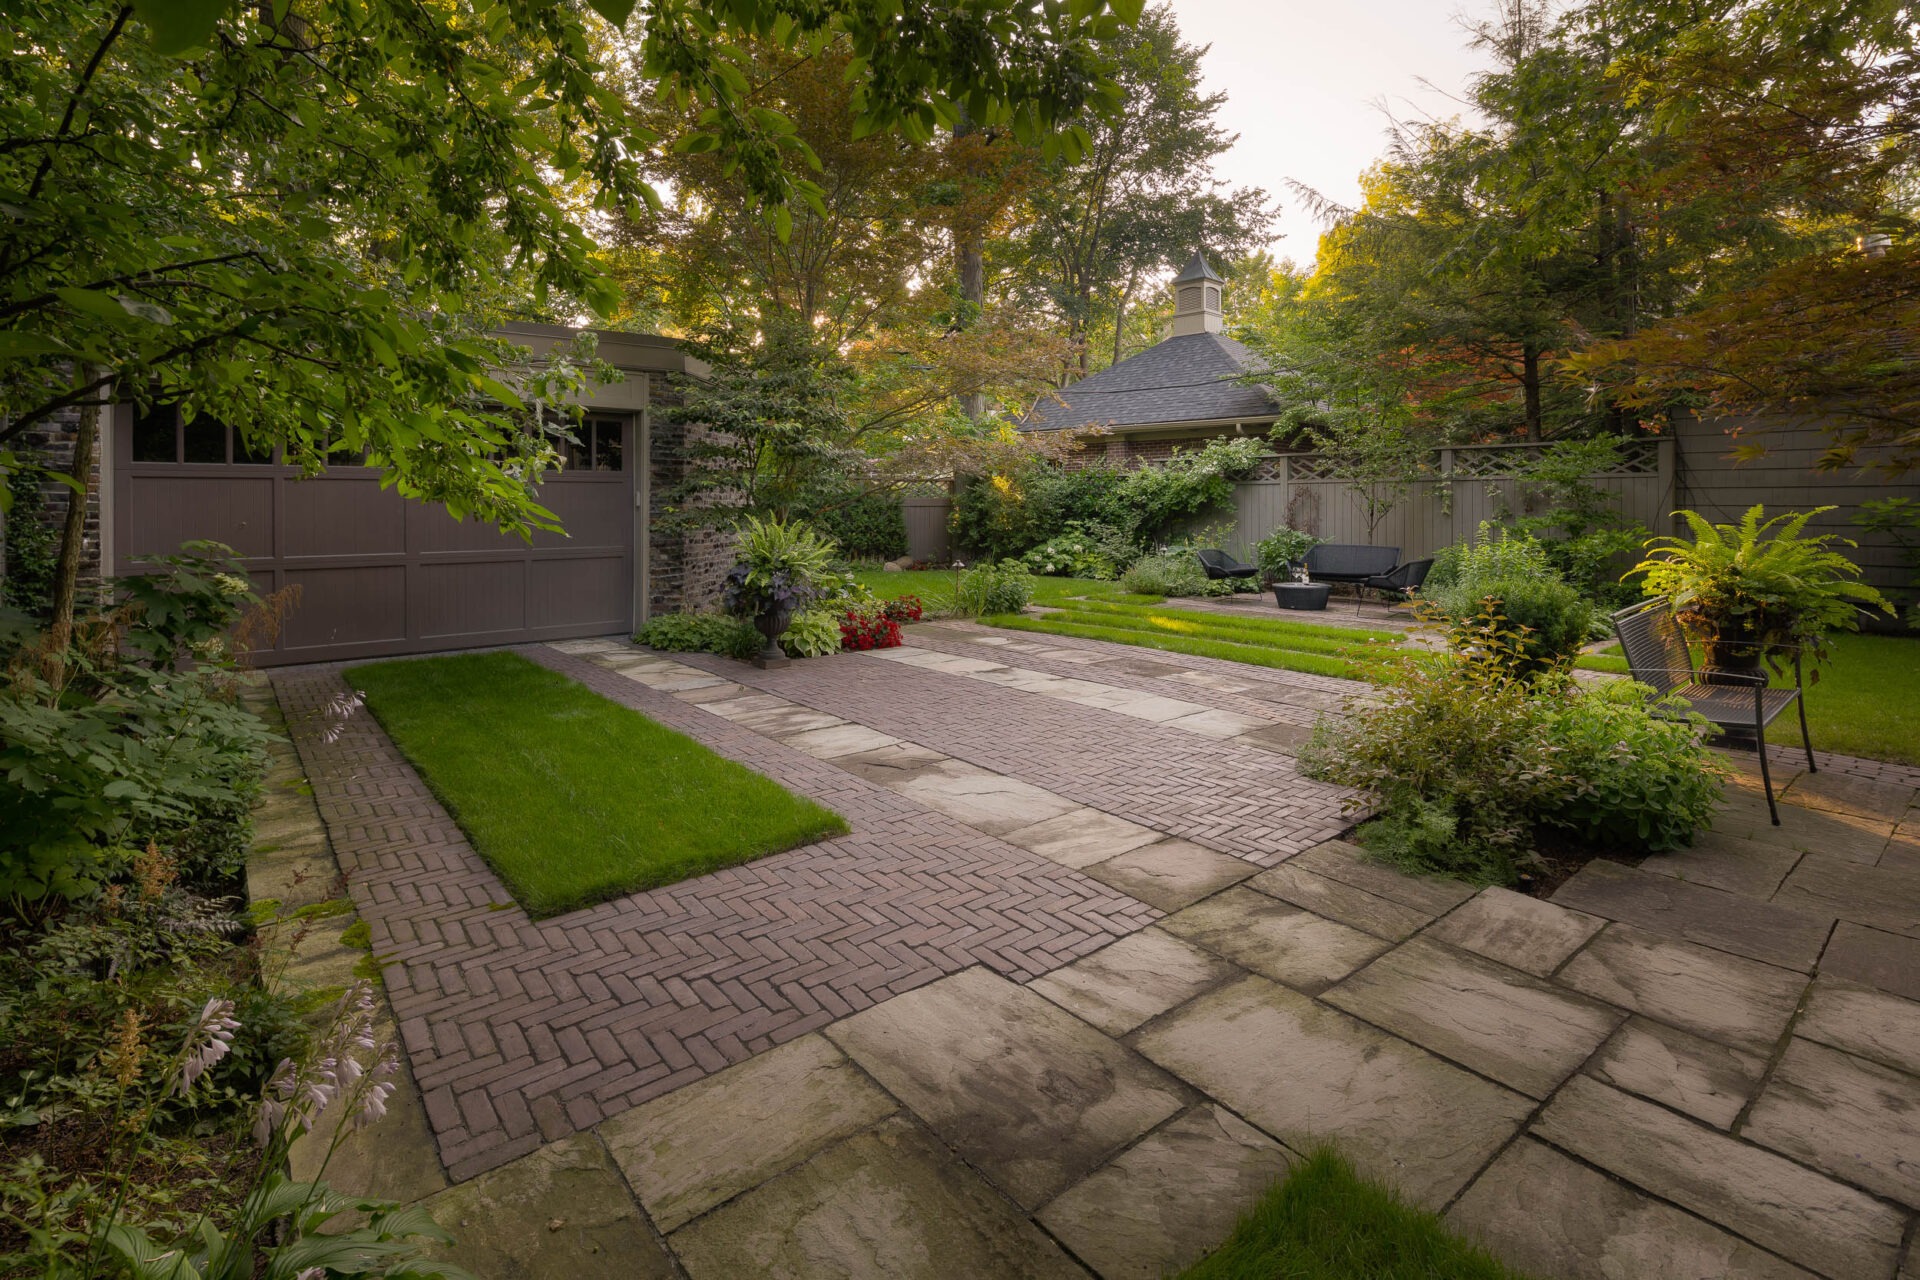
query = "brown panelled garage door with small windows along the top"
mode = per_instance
[{"x": 381, "y": 575}]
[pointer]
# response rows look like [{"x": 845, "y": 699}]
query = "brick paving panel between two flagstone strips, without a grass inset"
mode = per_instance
[{"x": 1226, "y": 795}]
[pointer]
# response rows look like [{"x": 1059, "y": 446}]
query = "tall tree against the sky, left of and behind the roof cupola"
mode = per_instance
[{"x": 1143, "y": 199}]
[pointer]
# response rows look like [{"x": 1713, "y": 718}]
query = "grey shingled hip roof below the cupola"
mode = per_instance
[{"x": 1186, "y": 379}]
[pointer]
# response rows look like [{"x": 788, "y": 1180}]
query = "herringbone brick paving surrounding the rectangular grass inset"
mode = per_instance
[{"x": 523, "y": 1031}]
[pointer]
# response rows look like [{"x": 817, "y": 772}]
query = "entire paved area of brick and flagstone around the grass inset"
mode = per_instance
[{"x": 1093, "y": 968}]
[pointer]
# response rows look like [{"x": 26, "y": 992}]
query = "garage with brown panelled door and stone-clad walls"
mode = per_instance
[{"x": 381, "y": 575}]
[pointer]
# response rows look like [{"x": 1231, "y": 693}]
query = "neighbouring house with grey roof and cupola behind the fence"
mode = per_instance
[{"x": 1184, "y": 391}]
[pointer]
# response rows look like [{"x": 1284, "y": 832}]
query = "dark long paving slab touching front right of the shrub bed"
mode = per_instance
[{"x": 1696, "y": 914}]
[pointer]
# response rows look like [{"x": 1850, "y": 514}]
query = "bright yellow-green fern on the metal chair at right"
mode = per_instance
[{"x": 1758, "y": 590}]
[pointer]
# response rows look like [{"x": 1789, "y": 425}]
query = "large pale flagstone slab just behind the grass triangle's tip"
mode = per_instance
[{"x": 1310, "y": 1074}]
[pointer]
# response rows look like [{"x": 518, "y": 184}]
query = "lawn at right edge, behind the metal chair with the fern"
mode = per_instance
[{"x": 1867, "y": 701}]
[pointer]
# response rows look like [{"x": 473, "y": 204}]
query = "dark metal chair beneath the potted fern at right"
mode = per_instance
[{"x": 1658, "y": 655}]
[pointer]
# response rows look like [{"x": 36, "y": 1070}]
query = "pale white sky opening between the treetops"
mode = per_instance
[{"x": 1307, "y": 82}]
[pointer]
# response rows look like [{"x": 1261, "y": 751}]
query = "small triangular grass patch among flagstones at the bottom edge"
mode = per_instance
[{"x": 1326, "y": 1223}]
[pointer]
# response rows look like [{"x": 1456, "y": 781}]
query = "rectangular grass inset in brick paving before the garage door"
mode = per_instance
[{"x": 569, "y": 797}]
